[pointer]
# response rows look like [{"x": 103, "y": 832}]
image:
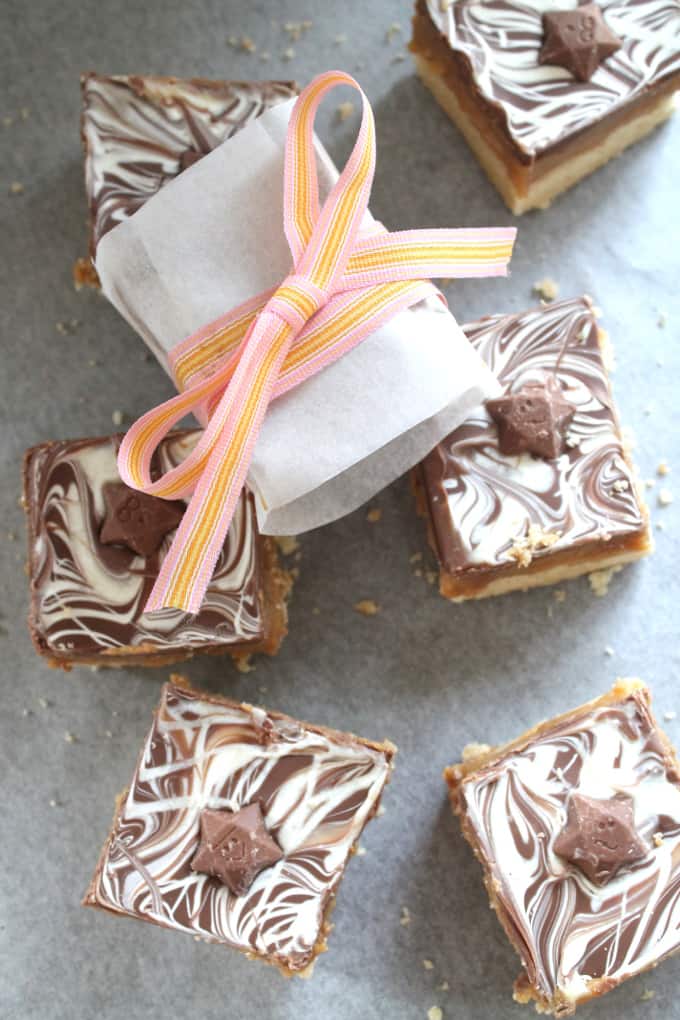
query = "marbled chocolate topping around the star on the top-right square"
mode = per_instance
[{"x": 542, "y": 106}]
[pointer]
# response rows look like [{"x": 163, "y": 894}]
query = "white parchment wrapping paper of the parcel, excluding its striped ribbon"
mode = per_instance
[{"x": 215, "y": 237}]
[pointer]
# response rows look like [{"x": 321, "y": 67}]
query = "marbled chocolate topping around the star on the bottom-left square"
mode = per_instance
[{"x": 317, "y": 792}]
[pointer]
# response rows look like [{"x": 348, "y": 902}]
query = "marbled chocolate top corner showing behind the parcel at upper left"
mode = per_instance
[{"x": 137, "y": 131}]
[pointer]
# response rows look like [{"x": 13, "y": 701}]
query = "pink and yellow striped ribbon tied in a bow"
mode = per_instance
[{"x": 345, "y": 284}]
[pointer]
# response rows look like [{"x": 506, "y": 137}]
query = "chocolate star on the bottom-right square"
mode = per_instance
[{"x": 600, "y": 837}]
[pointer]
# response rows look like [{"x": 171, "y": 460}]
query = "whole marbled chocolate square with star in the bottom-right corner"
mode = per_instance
[{"x": 577, "y": 826}]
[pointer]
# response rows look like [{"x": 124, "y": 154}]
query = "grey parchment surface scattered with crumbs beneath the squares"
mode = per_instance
[{"x": 432, "y": 677}]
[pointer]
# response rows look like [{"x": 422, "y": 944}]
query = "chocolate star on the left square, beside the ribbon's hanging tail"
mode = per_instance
[{"x": 138, "y": 521}]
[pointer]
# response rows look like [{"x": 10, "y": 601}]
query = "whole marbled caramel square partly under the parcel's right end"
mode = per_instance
[{"x": 537, "y": 486}]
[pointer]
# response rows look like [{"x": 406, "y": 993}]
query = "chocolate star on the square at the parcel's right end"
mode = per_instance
[{"x": 534, "y": 420}]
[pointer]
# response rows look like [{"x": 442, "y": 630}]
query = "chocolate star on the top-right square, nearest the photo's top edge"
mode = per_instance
[{"x": 579, "y": 40}]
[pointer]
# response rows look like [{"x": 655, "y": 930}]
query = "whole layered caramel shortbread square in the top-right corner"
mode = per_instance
[{"x": 546, "y": 92}]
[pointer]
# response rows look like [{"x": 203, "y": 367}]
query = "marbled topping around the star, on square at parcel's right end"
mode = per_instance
[{"x": 482, "y": 501}]
